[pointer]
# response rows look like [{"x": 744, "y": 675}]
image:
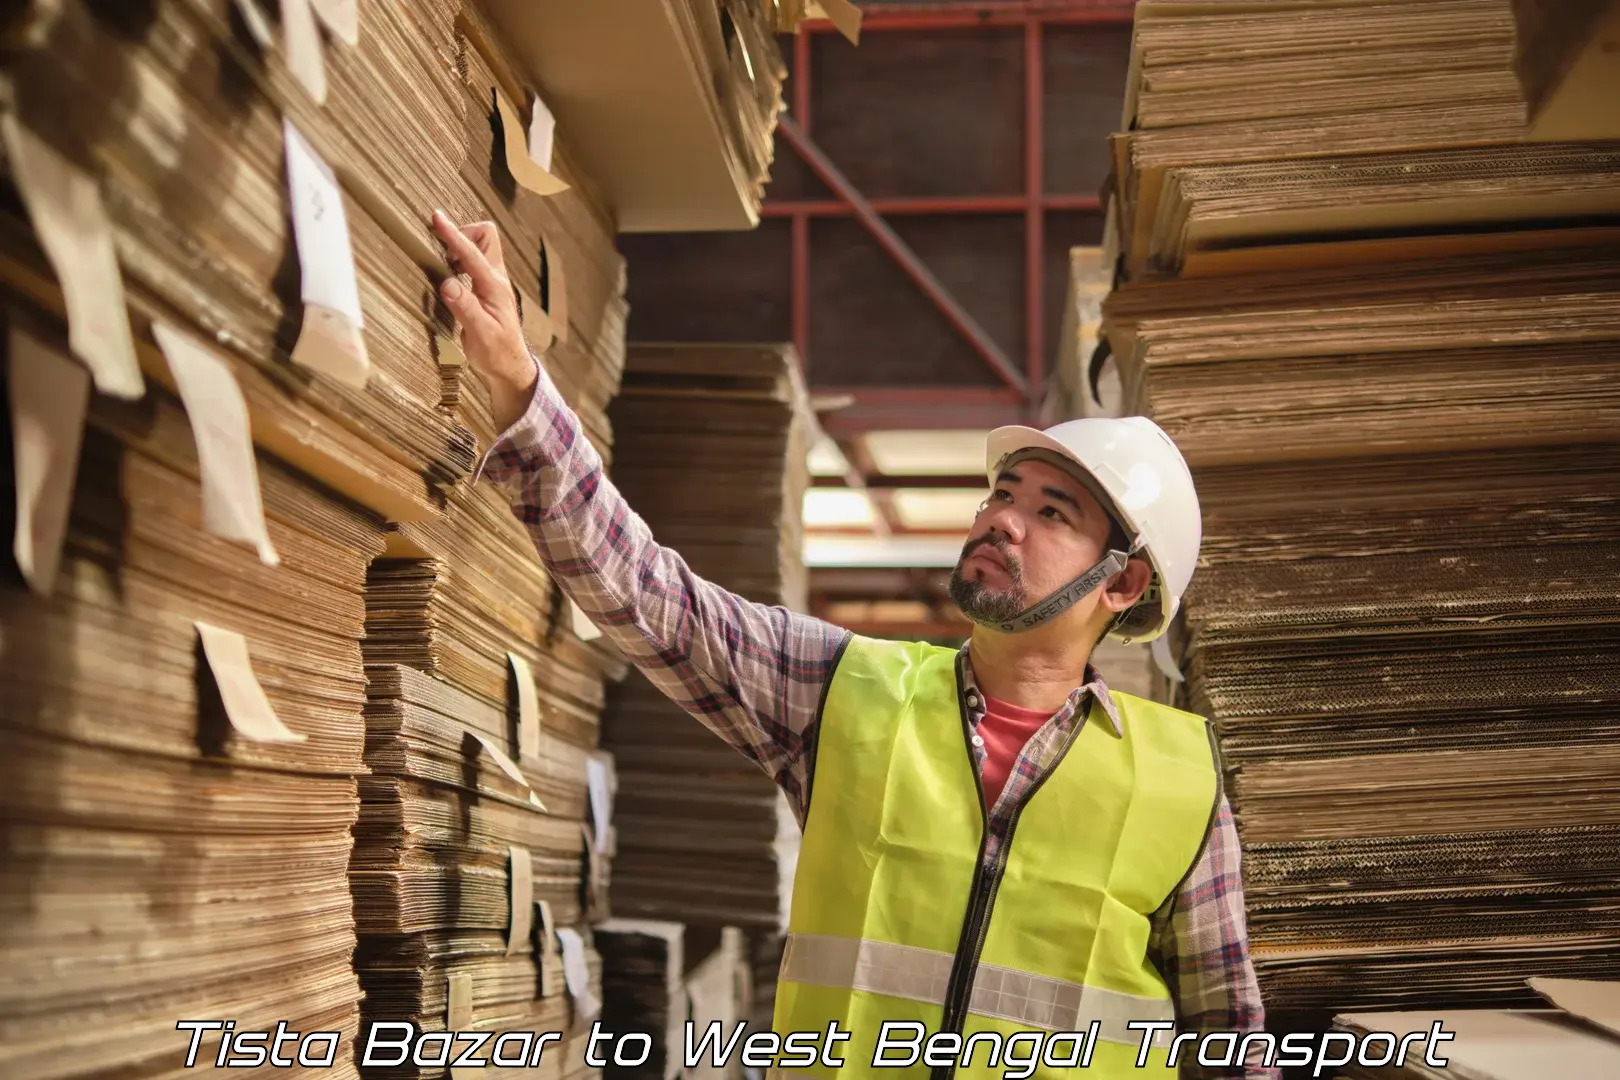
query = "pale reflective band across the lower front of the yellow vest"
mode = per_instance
[{"x": 1034, "y": 1001}]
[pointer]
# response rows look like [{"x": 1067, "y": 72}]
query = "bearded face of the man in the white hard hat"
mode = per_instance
[{"x": 1039, "y": 532}]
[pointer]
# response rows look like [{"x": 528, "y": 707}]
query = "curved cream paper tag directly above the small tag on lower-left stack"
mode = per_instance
[{"x": 232, "y": 506}]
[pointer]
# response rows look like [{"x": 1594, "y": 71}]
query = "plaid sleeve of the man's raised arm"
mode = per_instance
[{"x": 751, "y": 673}]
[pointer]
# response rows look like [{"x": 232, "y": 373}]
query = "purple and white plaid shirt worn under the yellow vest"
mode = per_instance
[{"x": 754, "y": 676}]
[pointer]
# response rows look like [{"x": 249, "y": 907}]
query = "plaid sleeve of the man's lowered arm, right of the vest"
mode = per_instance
[{"x": 1203, "y": 951}]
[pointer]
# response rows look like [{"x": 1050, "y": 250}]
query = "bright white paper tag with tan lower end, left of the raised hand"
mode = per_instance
[{"x": 330, "y": 339}]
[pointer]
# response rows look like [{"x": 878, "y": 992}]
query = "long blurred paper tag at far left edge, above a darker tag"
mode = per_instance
[{"x": 66, "y": 206}]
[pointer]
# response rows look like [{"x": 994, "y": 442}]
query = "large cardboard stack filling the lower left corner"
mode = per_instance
[{"x": 184, "y": 733}]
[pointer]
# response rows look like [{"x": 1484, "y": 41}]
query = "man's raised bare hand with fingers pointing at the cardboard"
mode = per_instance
[{"x": 482, "y": 300}]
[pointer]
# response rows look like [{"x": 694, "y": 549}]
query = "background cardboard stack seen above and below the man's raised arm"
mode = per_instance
[{"x": 712, "y": 454}]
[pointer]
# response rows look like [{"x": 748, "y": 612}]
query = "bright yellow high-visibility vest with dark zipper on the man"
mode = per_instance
[{"x": 898, "y": 919}]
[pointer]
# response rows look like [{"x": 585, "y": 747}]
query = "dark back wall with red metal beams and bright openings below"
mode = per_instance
[{"x": 914, "y": 247}]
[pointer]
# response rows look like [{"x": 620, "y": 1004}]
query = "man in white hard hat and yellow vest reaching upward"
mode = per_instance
[{"x": 992, "y": 841}]
